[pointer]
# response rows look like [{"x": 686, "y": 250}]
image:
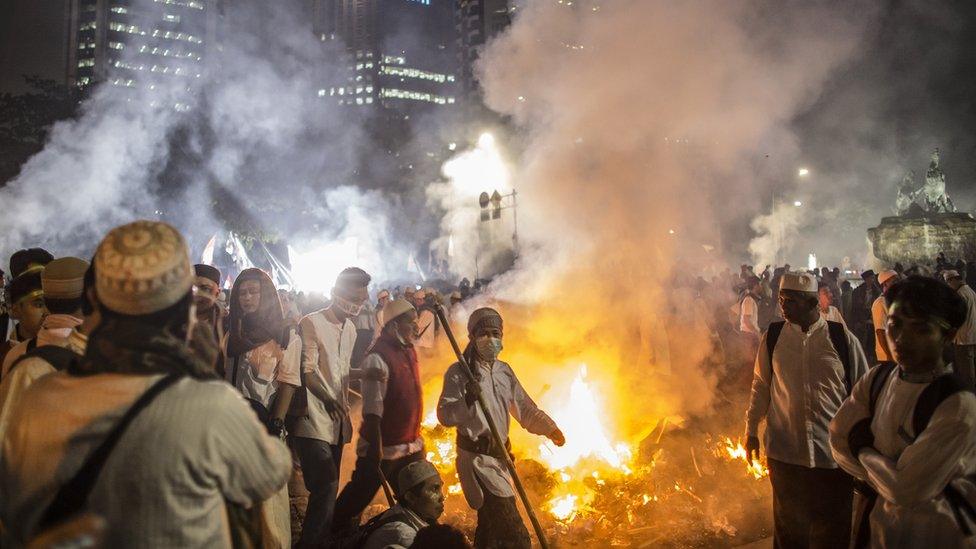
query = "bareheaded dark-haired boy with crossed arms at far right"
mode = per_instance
[{"x": 916, "y": 469}]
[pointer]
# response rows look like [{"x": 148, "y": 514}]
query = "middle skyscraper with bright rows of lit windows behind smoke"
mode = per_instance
[{"x": 402, "y": 52}]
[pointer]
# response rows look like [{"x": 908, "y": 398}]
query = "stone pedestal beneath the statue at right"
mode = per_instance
[{"x": 918, "y": 237}]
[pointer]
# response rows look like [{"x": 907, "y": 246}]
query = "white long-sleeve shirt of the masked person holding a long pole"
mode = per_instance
[{"x": 504, "y": 395}]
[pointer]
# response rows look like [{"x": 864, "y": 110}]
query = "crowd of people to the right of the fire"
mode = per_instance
[{"x": 869, "y": 410}]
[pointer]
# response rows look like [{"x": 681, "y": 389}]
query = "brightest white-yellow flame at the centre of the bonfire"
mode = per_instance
[{"x": 583, "y": 422}]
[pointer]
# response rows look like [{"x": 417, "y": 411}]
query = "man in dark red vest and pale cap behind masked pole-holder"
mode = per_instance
[{"x": 389, "y": 438}]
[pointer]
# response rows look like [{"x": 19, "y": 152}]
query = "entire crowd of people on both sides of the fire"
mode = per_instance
[{"x": 143, "y": 405}]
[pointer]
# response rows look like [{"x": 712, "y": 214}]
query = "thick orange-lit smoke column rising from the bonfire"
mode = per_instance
[{"x": 645, "y": 124}]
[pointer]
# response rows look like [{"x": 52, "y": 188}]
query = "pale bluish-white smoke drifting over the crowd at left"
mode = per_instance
[{"x": 252, "y": 148}]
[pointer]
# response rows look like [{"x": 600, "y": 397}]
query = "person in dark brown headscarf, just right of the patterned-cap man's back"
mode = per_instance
[{"x": 263, "y": 353}]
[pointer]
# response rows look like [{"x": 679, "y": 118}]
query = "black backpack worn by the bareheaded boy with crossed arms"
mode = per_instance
[{"x": 963, "y": 506}]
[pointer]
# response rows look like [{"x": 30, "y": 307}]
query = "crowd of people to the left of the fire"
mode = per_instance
[{"x": 136, "y": 411}]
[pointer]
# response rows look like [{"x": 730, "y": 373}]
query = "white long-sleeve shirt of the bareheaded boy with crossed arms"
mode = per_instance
[{"x": 909, "y": 475}]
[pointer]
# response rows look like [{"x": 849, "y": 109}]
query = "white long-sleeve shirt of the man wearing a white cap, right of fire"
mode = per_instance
[{"x": 799, "y": 393}]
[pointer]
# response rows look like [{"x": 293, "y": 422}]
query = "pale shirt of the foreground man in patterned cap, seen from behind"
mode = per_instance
[{"x": 197, "y": 445}]
